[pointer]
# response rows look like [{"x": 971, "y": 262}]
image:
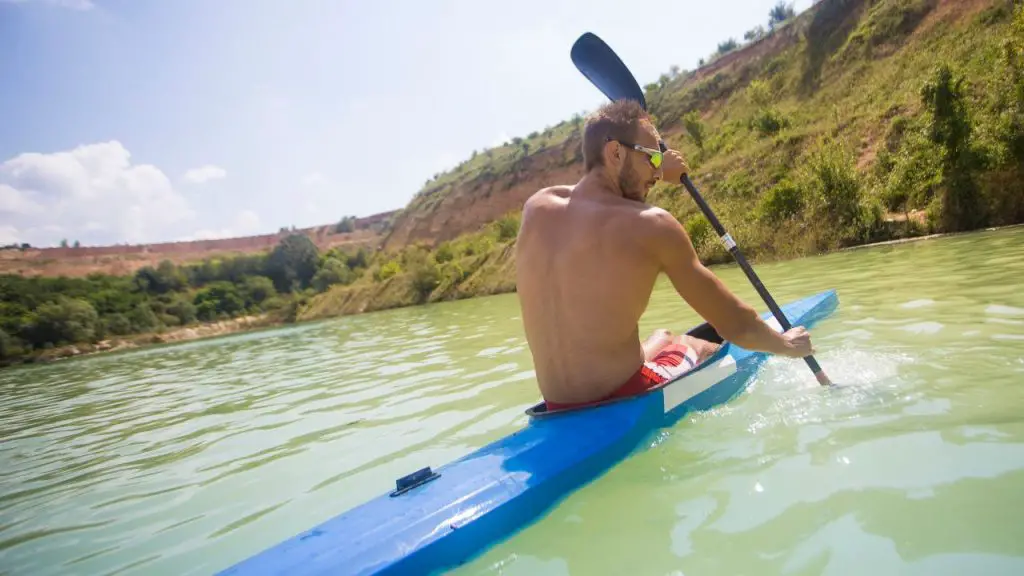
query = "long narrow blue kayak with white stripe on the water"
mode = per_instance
[{"x": 436, "y": 520}]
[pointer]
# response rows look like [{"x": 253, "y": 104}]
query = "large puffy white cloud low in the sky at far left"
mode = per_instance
[{"x": 93, "y": 193}]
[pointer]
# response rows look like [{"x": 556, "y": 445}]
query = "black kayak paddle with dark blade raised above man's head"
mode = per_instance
[{"x": 604, "y": 68}]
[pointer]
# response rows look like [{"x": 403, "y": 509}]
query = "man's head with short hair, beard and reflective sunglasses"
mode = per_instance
[{"x": 609, "y": 140}]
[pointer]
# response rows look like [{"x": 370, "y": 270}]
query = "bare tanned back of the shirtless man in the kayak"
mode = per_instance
[{"x": 588, "y": 282}]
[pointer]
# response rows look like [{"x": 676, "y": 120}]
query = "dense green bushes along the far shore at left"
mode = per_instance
[{"x": 38, "y": 315}]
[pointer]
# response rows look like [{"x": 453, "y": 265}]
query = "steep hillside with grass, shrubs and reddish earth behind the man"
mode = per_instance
[{"x": 858, "y": 121}]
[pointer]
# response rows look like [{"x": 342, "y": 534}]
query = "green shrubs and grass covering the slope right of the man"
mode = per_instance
[{"x": 871, "y": 122}]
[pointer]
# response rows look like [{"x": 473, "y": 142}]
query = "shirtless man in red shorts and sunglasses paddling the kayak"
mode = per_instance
[{"x": 587, "y": 260}]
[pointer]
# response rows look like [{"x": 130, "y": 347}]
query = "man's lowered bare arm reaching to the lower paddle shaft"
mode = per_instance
[{"x": 734, "y": 319}]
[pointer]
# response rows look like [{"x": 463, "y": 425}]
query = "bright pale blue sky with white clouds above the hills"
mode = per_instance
[{"x": 139, "y": 121}]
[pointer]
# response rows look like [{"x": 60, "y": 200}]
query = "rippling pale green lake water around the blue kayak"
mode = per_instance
[{"x": 187, "y": 459}]
